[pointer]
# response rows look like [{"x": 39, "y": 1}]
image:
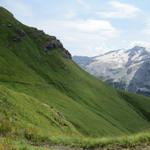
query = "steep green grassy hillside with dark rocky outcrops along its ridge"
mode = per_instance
[{"x": 43, "y": 93}]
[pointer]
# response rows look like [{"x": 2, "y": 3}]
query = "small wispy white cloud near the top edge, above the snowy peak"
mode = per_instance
[{"x": 120, "y": 10}]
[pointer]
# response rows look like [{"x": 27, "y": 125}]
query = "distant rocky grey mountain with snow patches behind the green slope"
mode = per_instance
[{"x": 123, "y": 69}]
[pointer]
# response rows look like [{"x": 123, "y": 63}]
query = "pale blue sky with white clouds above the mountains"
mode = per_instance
[{"x": 88, "y": 27}]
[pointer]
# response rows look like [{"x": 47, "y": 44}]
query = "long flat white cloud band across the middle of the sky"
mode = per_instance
[{"x": 92, "y": 27}]
